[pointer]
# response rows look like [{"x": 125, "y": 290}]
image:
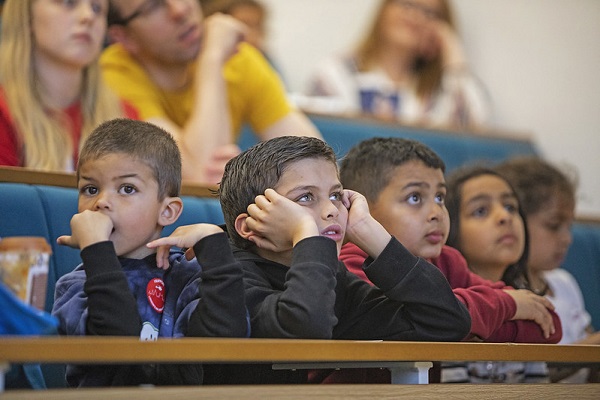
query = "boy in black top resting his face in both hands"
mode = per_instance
[{"x": 288, "y": 215}]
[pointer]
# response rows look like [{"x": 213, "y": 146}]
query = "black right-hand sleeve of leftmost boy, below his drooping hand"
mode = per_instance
[{"x": 221, "y": 310}]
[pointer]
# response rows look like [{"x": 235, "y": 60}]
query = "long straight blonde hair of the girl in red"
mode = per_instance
[{"x": 43, "y": 133}]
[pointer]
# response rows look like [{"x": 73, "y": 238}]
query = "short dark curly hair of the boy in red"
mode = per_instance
[{"x": 369, "y": 166}]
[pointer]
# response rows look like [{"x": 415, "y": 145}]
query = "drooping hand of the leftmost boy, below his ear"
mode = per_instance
[{"x": 183, "y": 237}]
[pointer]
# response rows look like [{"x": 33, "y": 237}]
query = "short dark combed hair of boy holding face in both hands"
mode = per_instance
[{"x": 260, "y": 168}]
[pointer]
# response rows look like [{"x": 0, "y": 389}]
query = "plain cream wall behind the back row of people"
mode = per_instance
[{"x": 540, "y": 60}]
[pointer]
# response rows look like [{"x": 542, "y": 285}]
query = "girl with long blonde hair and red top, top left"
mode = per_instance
[{"x": 51, "y": 94}]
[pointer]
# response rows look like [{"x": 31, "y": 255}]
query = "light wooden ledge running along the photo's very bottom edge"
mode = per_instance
[{"x": 315, "y": 392}]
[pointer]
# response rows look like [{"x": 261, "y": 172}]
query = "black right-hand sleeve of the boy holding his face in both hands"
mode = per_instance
[{"x": 419, "y": 293}]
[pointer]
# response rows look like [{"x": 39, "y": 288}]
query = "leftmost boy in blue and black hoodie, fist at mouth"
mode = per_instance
[{"x": 130, "y": 284}]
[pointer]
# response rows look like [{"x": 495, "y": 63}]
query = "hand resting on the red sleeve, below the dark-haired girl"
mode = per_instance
[{"x": 530, "y": 306}]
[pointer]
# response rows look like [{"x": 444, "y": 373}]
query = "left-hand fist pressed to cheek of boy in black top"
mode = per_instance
[{"x": 278, "y": 222}]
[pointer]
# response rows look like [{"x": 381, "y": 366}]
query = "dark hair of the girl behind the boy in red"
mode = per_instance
[{"x": 516, "y": 274}]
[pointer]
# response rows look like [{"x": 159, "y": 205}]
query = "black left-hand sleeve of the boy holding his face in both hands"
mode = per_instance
[{"x": 303, "y": 307}]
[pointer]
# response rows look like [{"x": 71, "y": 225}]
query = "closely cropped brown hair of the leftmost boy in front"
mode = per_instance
[{"x": 142, "y": 141}]
